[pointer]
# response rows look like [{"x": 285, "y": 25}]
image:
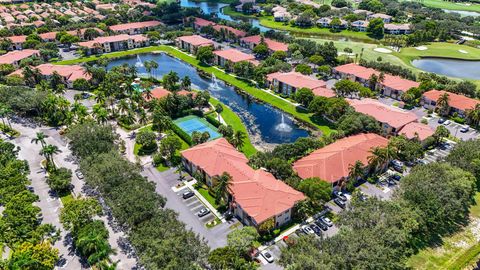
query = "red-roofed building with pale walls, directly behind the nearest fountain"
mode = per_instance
[{"x": 289, "y": 82}]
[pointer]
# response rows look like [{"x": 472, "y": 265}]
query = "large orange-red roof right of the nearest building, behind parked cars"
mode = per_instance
[{"x": 331, "y": 162}]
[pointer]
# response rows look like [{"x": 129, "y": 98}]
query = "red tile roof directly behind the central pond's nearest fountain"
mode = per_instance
[{"x": 298, "y": 80}]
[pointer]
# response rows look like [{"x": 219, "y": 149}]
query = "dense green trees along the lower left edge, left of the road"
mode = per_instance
[{"x": 20, "y": 223}]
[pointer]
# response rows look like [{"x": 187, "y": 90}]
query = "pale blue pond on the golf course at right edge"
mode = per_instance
[{"x": 450, "y": 67}]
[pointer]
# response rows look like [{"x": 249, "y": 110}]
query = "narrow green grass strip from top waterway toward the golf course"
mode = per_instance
[{"x": 268, "y": 21}]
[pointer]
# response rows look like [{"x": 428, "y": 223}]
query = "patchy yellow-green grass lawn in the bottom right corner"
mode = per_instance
[{"x": 457, "y": 251}]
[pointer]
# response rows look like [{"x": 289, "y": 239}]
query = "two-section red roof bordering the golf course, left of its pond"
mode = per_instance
[{"x": 394, "y": 82}]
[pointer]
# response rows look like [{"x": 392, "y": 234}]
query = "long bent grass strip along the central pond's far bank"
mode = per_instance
[{"x": 245, "y": 86}]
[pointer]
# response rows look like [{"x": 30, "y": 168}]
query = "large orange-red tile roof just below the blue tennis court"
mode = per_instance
[{"x": 259, "y": 194}]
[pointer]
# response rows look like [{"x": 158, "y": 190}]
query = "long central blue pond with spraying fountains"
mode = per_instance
[{"x": 266, "y": 125}]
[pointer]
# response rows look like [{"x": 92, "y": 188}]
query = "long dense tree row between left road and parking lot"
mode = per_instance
[{"x": 152, "y": 229}]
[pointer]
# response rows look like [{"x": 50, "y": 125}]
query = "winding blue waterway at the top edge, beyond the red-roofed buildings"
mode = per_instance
[{"x": 216, "y": 8}]
